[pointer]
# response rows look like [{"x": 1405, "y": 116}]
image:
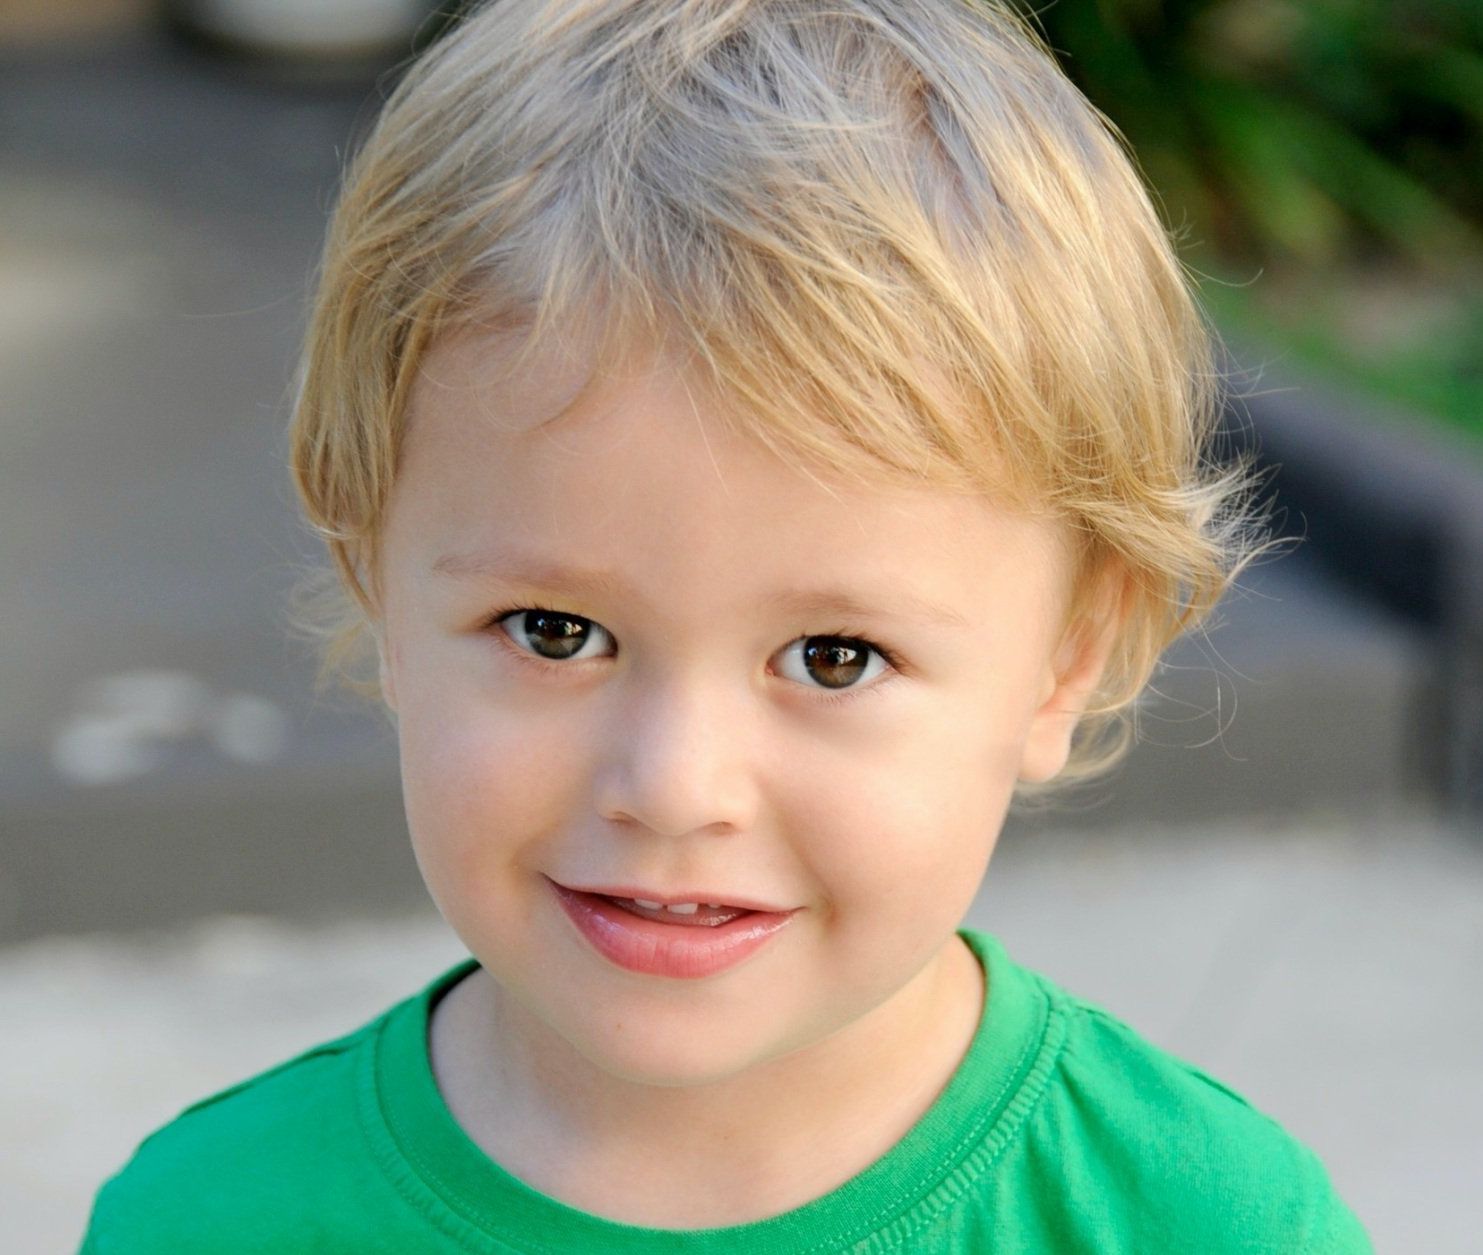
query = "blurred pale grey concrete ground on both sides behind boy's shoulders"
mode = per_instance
[{"x": 1331, "y": 975}]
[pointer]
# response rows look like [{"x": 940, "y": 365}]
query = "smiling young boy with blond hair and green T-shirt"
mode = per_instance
[{"x": 762, "y": 441}]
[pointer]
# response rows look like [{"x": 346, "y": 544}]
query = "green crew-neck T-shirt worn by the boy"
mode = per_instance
[{"x": 1063, "y": 1131}]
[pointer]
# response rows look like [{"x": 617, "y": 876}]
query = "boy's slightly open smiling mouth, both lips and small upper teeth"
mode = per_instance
[{"x": 680, "y": 940}]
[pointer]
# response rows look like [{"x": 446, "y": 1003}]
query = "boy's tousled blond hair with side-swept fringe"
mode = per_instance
[{"x": 891, "y": 229}]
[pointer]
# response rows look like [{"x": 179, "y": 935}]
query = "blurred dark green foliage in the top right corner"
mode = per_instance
[{"x": 1315, "y": 131}]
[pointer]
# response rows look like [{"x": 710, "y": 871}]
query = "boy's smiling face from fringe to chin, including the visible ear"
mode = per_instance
[{"x": 704, "y": 711}]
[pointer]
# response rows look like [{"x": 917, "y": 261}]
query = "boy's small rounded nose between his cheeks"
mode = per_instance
[{"x": 678, "y": 762}]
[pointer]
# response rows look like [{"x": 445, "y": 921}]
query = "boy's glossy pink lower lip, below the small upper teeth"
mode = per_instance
[{"x": 686, "y": 952}]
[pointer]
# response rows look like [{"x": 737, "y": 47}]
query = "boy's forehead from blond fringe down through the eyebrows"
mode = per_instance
[{"x": 512, "y": 452}]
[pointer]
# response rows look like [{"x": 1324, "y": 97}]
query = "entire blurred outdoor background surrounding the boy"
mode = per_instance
[{"x": 204, "y": 866}]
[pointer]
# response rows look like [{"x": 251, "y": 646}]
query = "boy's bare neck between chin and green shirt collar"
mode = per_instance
[{"x": 719, "y": 1153}]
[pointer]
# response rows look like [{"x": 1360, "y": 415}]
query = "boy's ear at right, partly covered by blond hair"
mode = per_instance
[{"x": 1070, "y": 680}]
